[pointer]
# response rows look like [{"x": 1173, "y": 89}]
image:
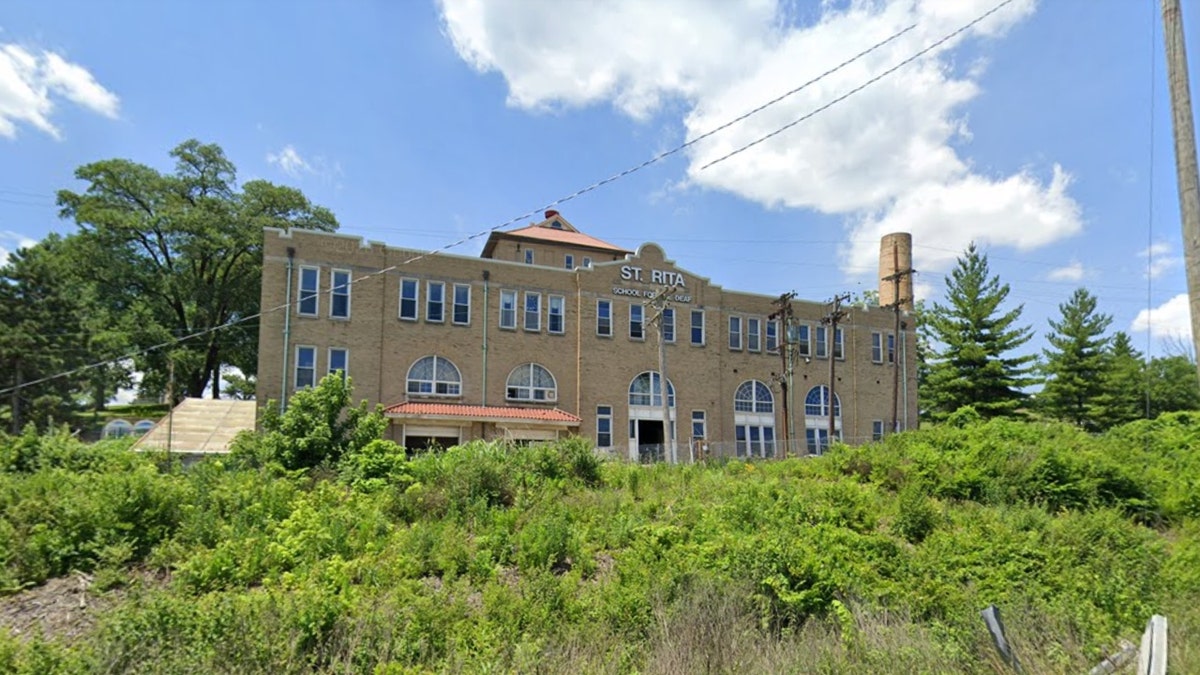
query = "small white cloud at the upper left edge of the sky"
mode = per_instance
[{"x": 32, "y": 82}]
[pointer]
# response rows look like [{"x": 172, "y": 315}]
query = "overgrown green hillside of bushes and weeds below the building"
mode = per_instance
[{"x": 494, "y": 559}]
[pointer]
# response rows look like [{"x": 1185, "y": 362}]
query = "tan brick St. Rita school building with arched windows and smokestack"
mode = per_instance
[{"x": 551, "y": 333}]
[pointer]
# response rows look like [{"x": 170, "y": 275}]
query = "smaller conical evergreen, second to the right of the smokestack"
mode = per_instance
[{"x": 1076, "y": 362}]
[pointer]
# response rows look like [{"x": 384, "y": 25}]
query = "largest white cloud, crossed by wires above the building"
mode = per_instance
[{"x": 887, "y": 158}]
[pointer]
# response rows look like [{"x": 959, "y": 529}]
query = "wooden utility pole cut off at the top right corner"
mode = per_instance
[{"x": 1187, "y": 174}]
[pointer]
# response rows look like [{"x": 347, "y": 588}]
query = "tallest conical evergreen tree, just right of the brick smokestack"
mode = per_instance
[{"x": 973, "y": 361}]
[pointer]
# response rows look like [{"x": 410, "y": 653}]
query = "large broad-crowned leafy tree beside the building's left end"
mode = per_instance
[{"x": 183, "y": 253}]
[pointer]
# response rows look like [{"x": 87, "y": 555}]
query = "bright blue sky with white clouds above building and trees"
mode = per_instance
[{"x": 421, "y": 122}]
